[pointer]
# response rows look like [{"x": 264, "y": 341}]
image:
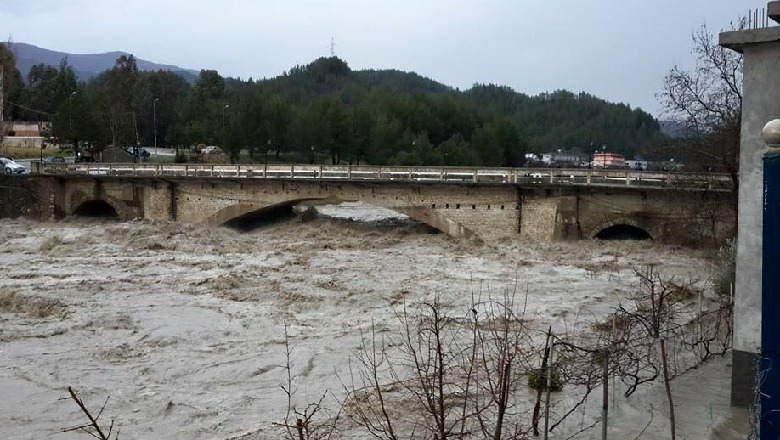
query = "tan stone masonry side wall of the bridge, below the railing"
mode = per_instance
[{"x": 490, "y": 212}]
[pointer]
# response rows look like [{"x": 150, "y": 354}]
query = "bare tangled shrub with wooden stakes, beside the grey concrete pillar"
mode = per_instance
[{"x": 658, "y": 333}]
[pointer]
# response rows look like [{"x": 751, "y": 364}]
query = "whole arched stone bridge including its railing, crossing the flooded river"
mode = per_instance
[{"x": 489, "y": 203}]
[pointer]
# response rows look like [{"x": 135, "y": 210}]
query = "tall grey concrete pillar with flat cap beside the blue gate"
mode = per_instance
[{"x": 760, "y": 103}]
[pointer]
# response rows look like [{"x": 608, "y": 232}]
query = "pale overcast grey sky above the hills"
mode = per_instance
[{"x": 618, "y": 50}]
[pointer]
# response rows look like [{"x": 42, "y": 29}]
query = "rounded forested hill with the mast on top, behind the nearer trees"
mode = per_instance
[{"x": 414, "y": 105}]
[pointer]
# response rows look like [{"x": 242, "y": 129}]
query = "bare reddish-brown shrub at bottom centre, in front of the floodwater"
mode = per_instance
[{"x": 460, "y": 373}]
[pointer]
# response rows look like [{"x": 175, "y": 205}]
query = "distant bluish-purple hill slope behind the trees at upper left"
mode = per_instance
[{"x": 85, "y": 66}]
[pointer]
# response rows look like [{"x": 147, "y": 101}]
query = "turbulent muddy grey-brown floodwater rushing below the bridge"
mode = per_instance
[{"x": 183, "y": 326}]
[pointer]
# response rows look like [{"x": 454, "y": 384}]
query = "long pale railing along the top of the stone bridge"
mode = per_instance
[{"x": 513, "y": 176}]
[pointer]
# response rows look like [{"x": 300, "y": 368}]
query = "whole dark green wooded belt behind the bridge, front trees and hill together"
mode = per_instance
[{"x": 322, "y": 111}]
